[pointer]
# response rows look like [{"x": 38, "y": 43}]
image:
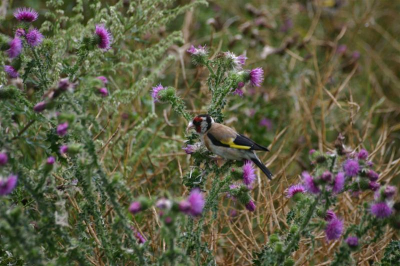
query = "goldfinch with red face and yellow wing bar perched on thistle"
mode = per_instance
[{"x": 226, "y": 142}]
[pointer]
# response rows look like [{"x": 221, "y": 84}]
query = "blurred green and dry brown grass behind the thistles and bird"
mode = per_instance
[{"x": 330, "y": 67}]
